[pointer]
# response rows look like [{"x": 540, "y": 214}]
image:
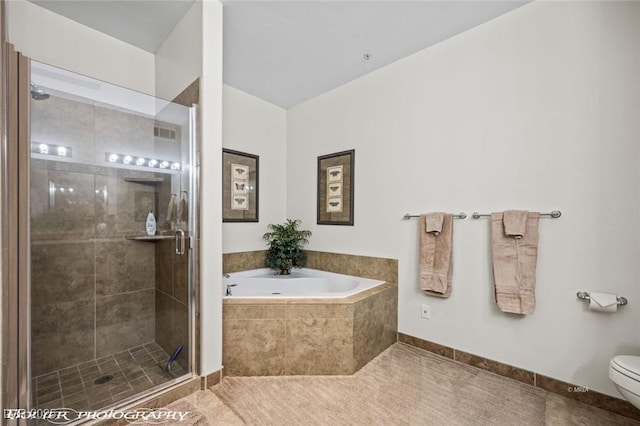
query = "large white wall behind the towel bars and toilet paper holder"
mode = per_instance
[{"x": 535, "y": 110}]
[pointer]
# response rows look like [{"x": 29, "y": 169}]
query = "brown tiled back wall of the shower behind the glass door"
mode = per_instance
[{"x": 93, "y": 291}]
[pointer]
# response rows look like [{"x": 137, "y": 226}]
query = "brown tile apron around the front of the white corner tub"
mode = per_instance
[{"x": 308, "y": 336}]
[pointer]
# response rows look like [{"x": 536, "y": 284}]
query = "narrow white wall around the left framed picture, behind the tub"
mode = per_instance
[{"x": 257, "y": 127}]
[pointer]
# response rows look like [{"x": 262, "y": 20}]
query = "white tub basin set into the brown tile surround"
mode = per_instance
[{"x": 302, "y": 283}]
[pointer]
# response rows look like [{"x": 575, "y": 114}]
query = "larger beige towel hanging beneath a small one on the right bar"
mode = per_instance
[{"x": 514, "y": 265}]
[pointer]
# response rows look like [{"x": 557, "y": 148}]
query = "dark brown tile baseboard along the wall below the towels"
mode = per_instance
[{"x": 568, "y": 390}]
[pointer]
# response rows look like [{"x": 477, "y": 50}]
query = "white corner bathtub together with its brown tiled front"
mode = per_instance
[{"x": 308, "y": 323}]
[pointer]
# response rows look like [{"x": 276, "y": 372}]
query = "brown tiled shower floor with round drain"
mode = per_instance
[{"x": 132, "y": 371}]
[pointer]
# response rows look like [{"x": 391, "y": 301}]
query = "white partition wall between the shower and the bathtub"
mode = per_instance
[{"x": 192, "y": 50}]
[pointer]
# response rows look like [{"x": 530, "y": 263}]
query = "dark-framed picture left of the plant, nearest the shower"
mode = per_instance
[{"x": 240, "y": 190}]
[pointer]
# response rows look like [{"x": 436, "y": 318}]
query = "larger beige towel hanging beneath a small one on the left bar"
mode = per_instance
[{"x": 436, "y": 263}]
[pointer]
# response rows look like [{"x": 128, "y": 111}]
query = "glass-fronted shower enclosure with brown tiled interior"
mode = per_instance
[{"x": 110, "y": 306}]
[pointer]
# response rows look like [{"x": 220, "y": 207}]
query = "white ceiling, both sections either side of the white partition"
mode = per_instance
[{"x": 287, "y": 52}]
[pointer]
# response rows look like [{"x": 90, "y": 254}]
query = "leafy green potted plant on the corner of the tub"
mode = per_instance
[{"x": 285, "y": 243}]
